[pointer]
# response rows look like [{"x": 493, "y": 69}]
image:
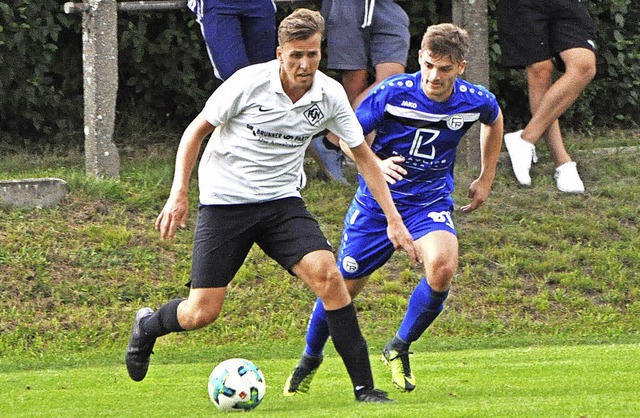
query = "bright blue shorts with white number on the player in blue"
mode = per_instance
[{"x": 365, "y": 246}]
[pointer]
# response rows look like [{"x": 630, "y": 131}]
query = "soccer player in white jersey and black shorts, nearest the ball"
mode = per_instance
[{"x": 249, "y": 179}]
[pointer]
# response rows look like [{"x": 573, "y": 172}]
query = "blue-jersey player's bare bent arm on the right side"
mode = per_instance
[{"x": 490, "y": 145}]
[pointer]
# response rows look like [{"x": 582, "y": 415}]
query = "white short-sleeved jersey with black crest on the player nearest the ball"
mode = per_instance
[{"x": 257, "y": 153}]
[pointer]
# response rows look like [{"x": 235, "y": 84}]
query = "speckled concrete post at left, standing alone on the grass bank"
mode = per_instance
[{"x": 100, "y": 56}]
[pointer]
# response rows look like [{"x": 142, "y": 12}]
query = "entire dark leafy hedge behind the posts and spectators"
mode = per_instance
[{"x": 165, "y": 75}]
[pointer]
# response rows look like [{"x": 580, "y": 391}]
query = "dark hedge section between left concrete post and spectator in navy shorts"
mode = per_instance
[{"x": 164, "y": 71}]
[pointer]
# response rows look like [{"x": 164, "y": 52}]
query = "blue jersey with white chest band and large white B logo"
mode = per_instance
[{"x": 425, "y": 132}]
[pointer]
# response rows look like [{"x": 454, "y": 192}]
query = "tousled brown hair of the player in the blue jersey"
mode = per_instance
[{"x": 446, "y": 40}]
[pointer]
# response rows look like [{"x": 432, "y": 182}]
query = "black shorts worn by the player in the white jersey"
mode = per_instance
[{"x": 284, "y": 229}]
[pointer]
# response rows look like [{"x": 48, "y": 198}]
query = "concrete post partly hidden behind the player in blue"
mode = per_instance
[{"x": 472, "y": 15}]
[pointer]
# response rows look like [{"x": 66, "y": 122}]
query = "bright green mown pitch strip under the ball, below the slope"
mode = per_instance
[{"x": 578, "y": 381}]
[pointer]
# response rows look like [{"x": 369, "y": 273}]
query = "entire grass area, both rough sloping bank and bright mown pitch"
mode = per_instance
[{"x": 543, "y": 317}]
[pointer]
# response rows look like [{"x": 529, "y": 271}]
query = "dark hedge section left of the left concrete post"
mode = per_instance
[{"x": 40, "y": 51}]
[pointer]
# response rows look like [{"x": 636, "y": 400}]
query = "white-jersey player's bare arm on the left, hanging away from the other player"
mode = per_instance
[{"x": 176, "y": 210}]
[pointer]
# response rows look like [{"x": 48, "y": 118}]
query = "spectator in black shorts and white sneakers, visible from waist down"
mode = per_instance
[{"x": 540, "y": 35}]
